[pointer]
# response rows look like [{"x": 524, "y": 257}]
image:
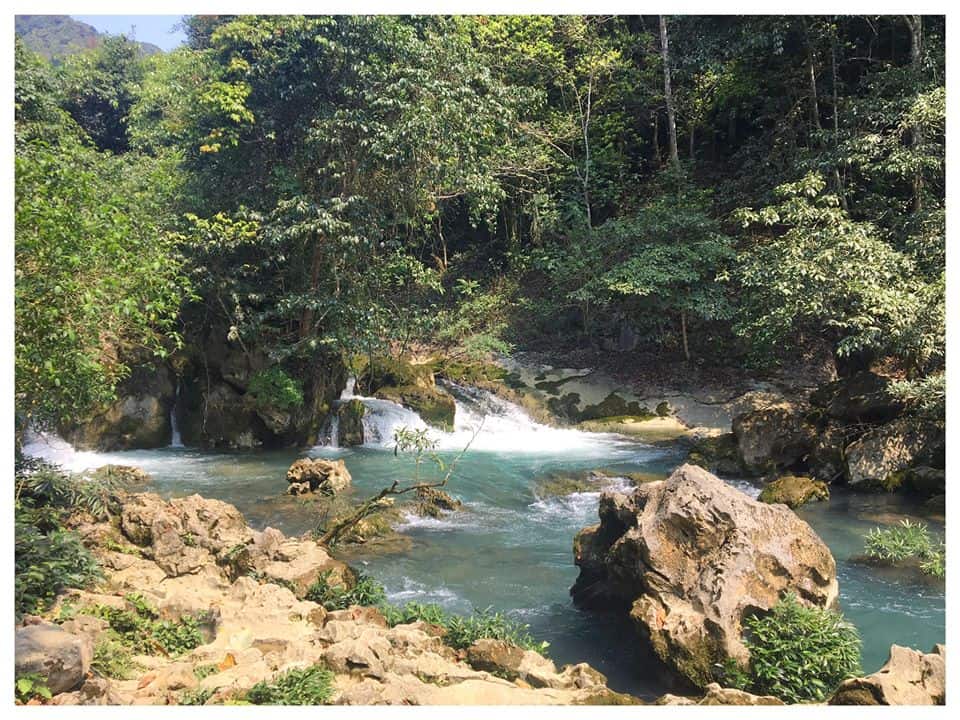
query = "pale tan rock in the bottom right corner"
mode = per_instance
[{"x": 909, "y": 677}]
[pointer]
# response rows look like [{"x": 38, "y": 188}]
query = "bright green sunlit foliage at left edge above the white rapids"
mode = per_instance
[{"x": 97, "y": 272}]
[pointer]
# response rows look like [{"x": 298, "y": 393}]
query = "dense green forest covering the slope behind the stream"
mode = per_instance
[{"x": 712, "y": 189}]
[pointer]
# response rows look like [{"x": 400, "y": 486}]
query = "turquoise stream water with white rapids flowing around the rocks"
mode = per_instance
[{"x": 511, "y": 550}]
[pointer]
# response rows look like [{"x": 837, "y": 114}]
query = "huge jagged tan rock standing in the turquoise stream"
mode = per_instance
[{"x": 691, "y": 557}]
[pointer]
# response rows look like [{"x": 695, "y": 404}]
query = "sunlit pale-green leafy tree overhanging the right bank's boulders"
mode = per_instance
[{"x": 828, "y": 271}]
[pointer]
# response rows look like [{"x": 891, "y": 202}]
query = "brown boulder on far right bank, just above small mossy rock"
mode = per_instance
[{"x": 774, "y": 437}]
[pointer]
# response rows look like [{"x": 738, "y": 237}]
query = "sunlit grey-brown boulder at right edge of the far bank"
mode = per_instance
[{"x": 879, "y": 457}]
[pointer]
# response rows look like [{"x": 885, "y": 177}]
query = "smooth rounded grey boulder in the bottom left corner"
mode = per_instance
[{"x": 61, "y": 658}]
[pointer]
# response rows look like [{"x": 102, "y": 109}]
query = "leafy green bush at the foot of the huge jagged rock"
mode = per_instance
[{"x": 797, "y": 653}]
